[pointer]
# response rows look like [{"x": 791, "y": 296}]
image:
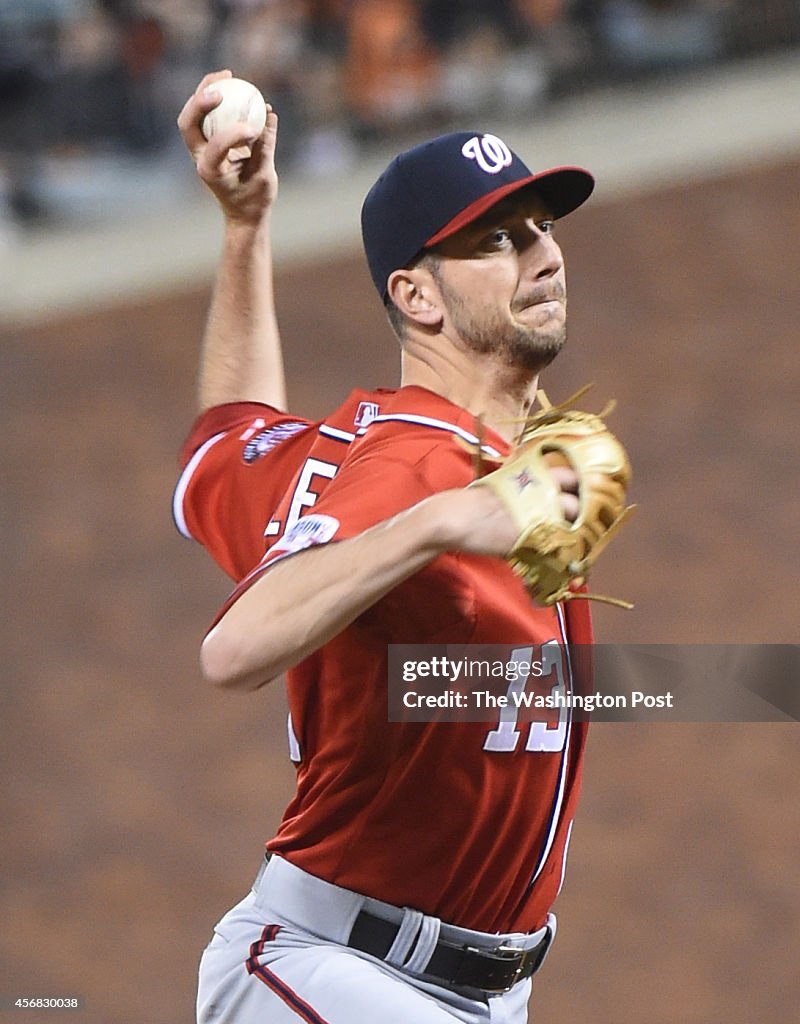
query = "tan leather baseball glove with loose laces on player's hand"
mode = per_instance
[{"x": 552, "y": 554}]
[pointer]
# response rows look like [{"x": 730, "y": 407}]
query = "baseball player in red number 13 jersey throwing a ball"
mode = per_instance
[{"x": 412, "y": 877}]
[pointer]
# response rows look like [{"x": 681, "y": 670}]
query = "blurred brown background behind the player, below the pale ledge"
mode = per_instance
[{"x": 137, "y": 800}]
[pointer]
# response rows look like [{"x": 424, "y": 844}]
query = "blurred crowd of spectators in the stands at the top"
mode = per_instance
[{"x": 110, "y": 76}]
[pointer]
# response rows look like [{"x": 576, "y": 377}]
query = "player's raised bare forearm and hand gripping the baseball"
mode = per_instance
[{"x": 242, "y": 359}]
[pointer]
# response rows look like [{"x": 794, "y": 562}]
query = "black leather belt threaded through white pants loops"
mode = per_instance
[{"x": 492, "y": 971}]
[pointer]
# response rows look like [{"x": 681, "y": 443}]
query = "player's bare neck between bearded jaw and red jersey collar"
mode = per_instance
[{"x": 500, "y": 396}]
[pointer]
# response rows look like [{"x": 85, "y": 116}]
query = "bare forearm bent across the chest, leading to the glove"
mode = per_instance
[{"x": 308, "y": 600}]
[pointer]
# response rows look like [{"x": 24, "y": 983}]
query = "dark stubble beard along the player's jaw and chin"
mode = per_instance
[{"x": 486, "y": 332}]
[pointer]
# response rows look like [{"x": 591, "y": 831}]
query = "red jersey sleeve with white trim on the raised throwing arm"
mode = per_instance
[{"x": 237, "y": 464}]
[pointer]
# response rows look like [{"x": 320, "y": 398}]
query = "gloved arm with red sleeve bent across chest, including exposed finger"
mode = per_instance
[{"x": 386, "y": 526}]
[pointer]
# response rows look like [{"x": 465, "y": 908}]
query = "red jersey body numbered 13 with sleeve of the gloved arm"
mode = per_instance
[{"x": 467, "y": 822}]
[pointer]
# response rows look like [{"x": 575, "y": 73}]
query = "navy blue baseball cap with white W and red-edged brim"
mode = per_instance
[{"x": 434, "y": 190}]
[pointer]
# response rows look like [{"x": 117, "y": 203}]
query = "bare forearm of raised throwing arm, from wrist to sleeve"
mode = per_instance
[{"x": 242, "y": 359}]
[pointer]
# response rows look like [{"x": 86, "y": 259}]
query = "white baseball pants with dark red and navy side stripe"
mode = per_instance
[{"x": 280, "y": 958}]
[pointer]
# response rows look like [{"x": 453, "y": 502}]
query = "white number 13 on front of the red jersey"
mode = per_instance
[{"x": 542, "y": 737}]
